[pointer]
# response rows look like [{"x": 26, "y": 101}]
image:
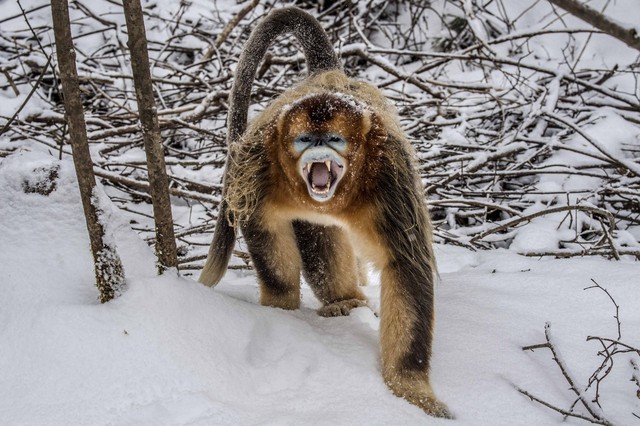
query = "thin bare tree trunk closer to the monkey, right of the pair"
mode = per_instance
[{"x": 158, "y": 181}]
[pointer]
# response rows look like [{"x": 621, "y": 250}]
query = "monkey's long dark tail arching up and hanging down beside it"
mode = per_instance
[{"x": 319, "y": 55}]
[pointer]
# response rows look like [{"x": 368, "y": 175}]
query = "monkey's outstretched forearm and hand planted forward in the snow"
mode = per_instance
[{"x": 406, "y": 333}]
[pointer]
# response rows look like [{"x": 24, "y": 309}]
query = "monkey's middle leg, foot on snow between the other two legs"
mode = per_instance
[{"x": 330, "y": 267}]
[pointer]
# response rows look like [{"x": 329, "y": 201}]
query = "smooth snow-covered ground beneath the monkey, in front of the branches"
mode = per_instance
[{"x": 170, "y": 351}]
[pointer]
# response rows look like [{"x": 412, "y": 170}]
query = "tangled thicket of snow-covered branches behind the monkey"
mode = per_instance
[{"x": 526, "y": 137}]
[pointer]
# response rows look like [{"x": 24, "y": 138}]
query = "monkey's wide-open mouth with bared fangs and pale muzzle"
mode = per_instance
[{"x": 322, "y": 176}]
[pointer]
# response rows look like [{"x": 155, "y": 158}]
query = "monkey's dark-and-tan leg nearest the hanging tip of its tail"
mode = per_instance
[{"x": 277, "y": 262}]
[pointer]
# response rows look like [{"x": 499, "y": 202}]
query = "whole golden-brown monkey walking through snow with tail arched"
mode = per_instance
[{"x": 377, "y": 212}]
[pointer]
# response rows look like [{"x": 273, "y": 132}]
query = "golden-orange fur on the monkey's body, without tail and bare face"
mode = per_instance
[{"x": 263, "y": 183}]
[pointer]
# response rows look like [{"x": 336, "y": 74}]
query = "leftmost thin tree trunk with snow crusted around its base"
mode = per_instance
[{"x": 108, "y": 267}]
